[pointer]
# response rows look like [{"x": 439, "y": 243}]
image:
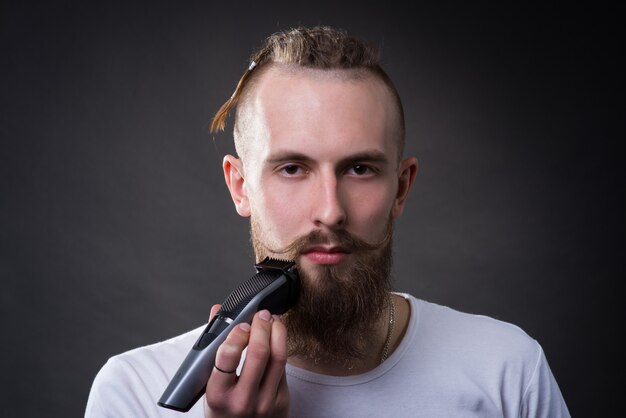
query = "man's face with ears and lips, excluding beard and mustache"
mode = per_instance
[{"x": 323, "y": 157}]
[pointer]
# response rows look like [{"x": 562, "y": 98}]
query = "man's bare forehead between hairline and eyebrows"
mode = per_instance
[{"x": 311, "y": 104}]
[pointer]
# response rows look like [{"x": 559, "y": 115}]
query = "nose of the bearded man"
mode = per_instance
[{"x": 328, "y": 207}]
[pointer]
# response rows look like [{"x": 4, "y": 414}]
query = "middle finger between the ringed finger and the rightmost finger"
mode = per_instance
[{"x": 258, "y": 352}]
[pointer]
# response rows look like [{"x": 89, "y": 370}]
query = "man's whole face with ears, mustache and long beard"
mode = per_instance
[{"x": 320, "y": 169}]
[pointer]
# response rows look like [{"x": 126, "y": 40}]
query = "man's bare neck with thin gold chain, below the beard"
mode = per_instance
[{"x": 354, "y": 366}]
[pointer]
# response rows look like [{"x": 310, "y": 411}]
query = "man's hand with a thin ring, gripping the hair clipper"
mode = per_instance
[{"x": 261, "y": 389}]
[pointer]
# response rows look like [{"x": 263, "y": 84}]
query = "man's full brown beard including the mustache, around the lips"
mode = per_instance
[{"x": 339, "y": 306}]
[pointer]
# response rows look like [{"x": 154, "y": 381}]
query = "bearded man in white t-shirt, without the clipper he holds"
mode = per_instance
[{"x": 320, "y": 172}]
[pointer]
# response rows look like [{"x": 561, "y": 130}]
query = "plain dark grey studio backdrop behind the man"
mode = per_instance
[{"x": 117, "y": 229}]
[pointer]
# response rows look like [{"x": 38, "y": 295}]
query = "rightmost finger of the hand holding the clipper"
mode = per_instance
[{"x": 273, "y": 390}]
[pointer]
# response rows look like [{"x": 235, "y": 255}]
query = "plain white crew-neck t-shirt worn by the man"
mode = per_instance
[{"x": 449, "y": 364}]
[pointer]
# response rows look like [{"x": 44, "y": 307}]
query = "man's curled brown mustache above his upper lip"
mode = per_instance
[{"x": 340, "y": 238}]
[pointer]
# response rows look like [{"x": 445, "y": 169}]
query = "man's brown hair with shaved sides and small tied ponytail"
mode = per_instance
[{"x": 319, "y": 47}]
